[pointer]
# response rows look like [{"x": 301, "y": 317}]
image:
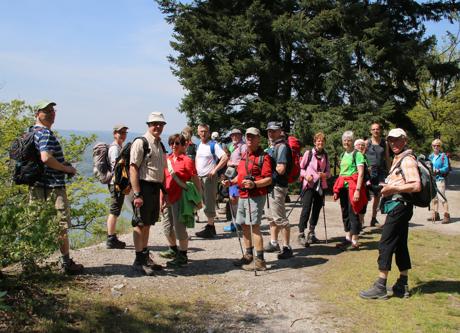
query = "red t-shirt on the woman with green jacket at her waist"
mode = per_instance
[{"x": 184, "y": 168}]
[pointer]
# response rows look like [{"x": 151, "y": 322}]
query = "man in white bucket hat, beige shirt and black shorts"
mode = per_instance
[{"x": 146, "y": 173}]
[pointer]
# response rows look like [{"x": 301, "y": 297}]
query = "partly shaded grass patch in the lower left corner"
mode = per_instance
[{"x": 51, "y": 302}]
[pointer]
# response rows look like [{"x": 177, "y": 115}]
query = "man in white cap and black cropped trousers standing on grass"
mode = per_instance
[{"x": 402, "y": 179}]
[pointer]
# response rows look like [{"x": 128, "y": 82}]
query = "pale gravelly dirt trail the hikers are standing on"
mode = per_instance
[{"x": 282, "y": 299}]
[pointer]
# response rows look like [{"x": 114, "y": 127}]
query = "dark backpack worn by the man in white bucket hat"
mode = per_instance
[{"x": 121, "y": 170}]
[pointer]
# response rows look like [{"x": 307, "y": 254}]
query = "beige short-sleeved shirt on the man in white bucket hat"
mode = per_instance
[{"x": 151, "y": 168}]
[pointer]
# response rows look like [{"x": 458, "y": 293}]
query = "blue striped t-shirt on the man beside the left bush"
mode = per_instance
[{"x": 45, "y": 140}]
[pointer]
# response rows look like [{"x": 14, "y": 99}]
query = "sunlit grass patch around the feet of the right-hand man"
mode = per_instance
[{"x": 435, "y": 302}]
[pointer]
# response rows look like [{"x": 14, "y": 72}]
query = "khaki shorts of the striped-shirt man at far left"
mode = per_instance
[{"x": 57, "y": 195}]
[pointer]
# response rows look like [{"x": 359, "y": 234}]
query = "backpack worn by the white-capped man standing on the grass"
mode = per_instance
[{"x": 427, "y": 181}]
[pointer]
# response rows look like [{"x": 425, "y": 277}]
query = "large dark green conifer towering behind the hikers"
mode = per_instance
[{"x": 313, "y": 64}]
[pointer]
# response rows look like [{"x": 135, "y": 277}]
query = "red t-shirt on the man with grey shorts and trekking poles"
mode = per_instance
[{"x": 255, "y": 171}]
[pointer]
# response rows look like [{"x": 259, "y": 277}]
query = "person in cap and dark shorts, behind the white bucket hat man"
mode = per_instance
[{"x": 116, "y": 200}]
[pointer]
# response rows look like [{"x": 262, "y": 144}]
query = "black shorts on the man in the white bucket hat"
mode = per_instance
[{"x": 150, "y": 210}]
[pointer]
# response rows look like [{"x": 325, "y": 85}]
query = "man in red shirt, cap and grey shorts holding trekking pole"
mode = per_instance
[{"x": 254, "y": 175}]
